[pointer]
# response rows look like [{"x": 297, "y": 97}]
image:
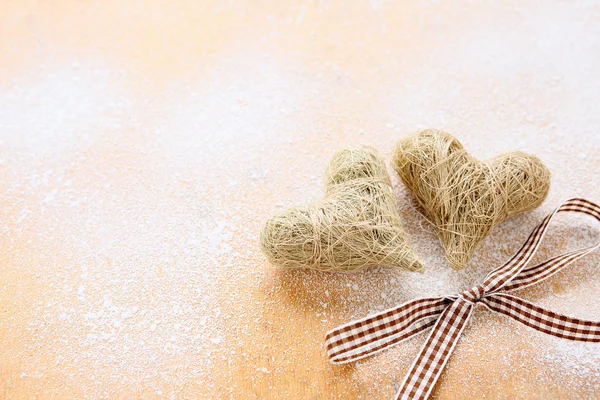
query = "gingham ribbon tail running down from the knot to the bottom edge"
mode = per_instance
[{"x": 435, "y": 353}]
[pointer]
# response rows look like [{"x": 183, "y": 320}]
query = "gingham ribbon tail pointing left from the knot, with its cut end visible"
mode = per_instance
[{"x": 375, "y": 333}]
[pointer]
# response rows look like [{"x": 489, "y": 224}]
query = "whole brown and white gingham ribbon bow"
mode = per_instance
[{"x": 449, "y": 315}]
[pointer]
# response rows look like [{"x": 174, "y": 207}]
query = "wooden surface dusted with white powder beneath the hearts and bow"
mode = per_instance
[{"x": 143, "y": 144}]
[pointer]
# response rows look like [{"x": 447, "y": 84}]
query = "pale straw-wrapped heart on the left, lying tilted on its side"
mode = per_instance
[{"x": 357, "y": 225}]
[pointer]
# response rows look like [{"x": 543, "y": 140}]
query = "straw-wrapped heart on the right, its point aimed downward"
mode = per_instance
[{"x": 463, "y": 197}]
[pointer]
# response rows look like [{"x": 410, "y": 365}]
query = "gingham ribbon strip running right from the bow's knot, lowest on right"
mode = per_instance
[{"x": 543, "y": 320}]
